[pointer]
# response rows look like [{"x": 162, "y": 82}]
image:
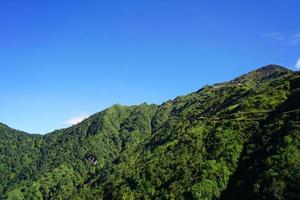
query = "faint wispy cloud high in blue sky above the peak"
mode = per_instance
[{"x": 284, "y": 40}]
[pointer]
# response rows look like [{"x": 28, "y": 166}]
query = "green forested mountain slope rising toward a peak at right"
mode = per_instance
[{"x": 233, "y": 140}]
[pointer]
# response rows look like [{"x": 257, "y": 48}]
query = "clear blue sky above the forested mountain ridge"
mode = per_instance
[{"x": 62, "y": 60}]
